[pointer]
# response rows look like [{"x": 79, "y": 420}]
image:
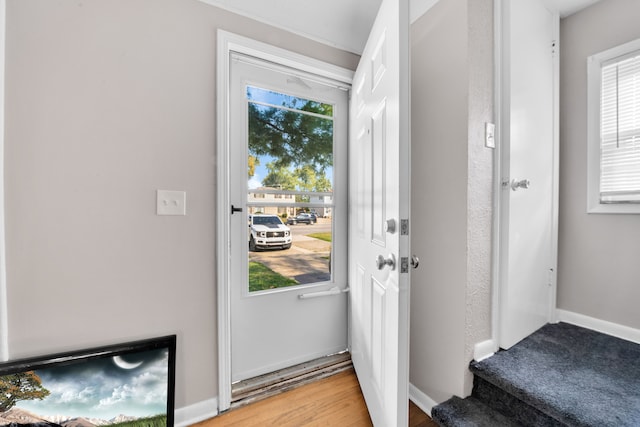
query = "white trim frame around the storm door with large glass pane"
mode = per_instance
[{"x": 226, "y": 43}]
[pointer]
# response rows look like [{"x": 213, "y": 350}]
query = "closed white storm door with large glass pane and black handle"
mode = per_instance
[{"x": 288, "y": 186}]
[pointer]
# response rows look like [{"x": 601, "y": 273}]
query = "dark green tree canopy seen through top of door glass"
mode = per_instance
[{"x": 291, "y": 137}]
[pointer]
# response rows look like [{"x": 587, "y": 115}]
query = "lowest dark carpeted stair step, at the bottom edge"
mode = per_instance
[{"x": 469, "y": 412}]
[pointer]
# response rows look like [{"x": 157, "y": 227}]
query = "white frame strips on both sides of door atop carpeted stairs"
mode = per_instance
[{"x": 501, "y": 114}]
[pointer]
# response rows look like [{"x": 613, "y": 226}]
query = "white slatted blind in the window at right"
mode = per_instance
[{"x": 620, "y": 130}]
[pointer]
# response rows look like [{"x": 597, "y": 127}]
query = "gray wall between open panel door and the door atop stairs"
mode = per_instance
[{"x": 452, "y": 72}]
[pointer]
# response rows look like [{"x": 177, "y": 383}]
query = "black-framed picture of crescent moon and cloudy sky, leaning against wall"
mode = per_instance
[{"x": 120, "y": 384}]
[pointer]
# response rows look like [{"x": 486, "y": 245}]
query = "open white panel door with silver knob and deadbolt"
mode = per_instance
[{"x": 379, "y": 209}]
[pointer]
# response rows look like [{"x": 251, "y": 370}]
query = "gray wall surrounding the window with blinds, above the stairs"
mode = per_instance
[{"x": 598, "y": 268}]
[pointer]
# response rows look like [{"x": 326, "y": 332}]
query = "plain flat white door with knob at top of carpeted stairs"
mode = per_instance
[{"x": 529, "y": 169}]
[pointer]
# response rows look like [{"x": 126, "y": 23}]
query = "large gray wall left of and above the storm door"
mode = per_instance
[{"x": 107, "y": 101}]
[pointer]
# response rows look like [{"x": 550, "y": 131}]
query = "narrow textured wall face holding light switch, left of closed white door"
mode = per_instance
[{"x": 480, "y": 179}]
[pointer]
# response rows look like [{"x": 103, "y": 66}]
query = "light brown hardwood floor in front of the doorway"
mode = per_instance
[{"x": 333, "y": 401}]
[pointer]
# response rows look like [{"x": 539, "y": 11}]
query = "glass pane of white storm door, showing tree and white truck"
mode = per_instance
[{"x": 289, "y": 190}]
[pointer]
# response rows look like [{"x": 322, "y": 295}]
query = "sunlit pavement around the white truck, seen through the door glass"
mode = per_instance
[{"x": 308, "y": 259}]
